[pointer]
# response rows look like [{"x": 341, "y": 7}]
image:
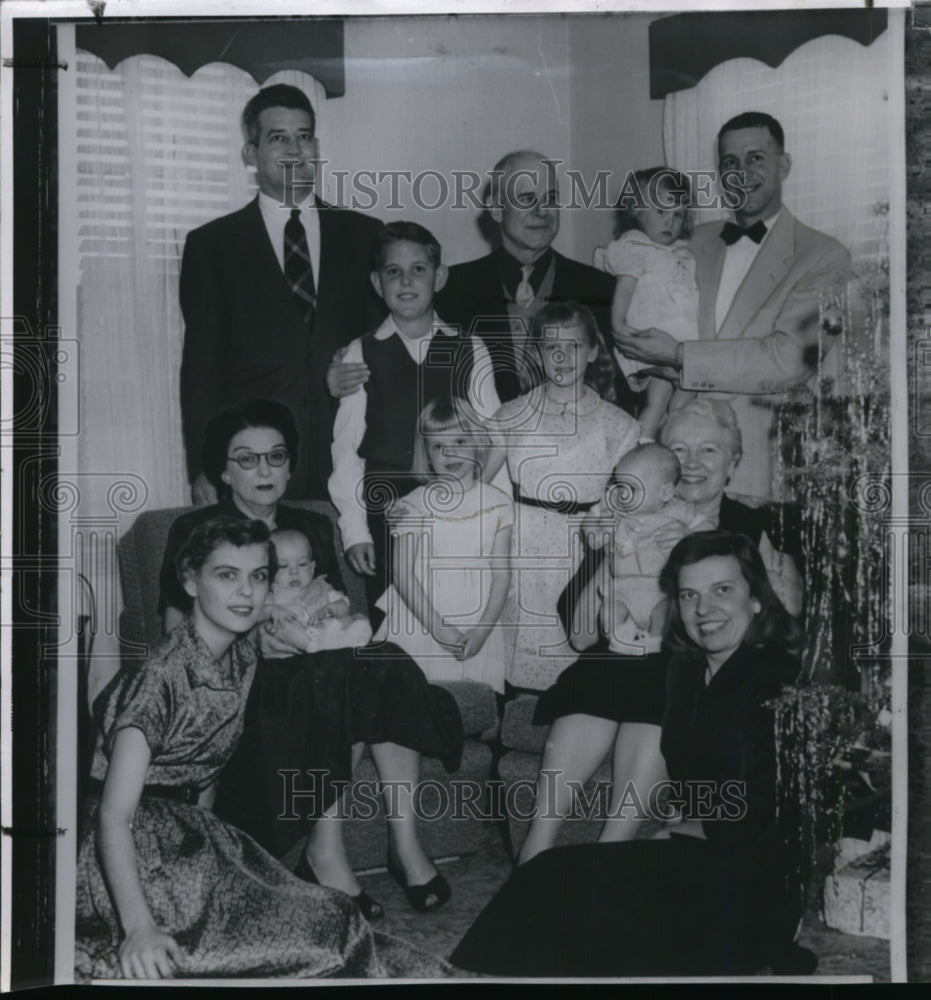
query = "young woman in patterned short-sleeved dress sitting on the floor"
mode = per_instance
[{"x": 164, "y": 887}]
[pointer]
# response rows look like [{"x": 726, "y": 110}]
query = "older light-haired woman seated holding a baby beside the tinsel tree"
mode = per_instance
[{"x": 606, "y": 701}]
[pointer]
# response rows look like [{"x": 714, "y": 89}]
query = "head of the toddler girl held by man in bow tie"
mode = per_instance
[{"x": 656, "y": 202}]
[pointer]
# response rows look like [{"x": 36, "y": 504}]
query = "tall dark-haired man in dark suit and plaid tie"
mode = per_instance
[{"x": 270, "y": 292}]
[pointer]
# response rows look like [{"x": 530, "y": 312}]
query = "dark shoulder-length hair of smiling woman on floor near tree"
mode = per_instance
[{"x": 771, "y": 625}]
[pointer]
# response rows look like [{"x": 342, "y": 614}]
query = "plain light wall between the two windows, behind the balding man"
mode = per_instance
[{"x": 456, "y": 93}]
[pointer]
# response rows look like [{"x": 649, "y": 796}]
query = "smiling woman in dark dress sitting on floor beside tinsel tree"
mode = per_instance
[{"x": 713, "y": 894}]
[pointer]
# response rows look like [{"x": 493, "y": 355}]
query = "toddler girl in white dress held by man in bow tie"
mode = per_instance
[{"x": 655, "y": 273}]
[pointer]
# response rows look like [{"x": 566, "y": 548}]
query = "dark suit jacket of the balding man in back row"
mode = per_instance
[{"x": 474, "y": 299}]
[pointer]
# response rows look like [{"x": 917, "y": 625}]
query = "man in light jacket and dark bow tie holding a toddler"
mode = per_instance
[{"x": 767, "y": 287}]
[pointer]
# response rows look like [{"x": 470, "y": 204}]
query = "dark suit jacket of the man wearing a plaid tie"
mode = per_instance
[{"x": 244, "y": 337}]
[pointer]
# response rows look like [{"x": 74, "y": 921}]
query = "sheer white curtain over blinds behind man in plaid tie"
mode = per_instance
[{"x": 148, "y": 155}]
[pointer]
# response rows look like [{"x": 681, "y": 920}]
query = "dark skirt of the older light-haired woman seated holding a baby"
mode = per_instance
[{"x": 609, "y": 686}]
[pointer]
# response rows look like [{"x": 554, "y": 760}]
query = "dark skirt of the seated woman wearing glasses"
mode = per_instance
[{"x": 304, "y": 714}]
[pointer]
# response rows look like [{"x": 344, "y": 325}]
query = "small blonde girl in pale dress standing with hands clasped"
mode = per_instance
[{"x": 451, "y": 538}]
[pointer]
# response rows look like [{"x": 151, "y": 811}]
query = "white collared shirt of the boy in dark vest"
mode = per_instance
[{"x": 349, "y": 426}]
